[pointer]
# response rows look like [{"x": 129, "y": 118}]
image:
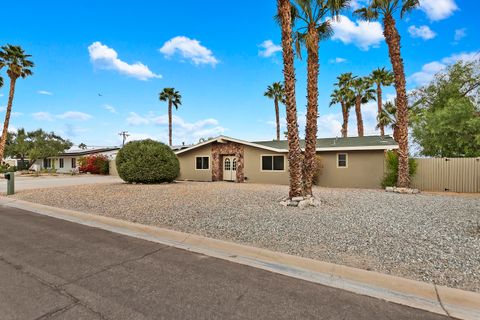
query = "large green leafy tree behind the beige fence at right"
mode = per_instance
[{"x": 447, "y": 118}]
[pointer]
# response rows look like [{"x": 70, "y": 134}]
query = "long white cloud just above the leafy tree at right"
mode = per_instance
[{"x": 429, "y": 70}]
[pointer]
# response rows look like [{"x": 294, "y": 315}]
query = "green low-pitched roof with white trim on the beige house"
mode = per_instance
[{"x": 327, "y": 144}]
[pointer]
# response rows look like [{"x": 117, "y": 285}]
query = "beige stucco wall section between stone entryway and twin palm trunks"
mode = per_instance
[{"x": 253, "y": 172}]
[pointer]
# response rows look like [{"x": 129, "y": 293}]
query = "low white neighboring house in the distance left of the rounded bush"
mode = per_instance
[{"x": 68, "y": 161}]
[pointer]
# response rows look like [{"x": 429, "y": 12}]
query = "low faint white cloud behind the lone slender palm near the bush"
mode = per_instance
[{"x": 183, "y": 131}]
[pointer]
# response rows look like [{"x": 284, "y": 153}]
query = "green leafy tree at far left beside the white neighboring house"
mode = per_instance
[{"x": 35, "y": 145}]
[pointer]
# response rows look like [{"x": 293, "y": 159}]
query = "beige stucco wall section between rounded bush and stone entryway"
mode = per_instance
[{"x": 188, "y": 165}]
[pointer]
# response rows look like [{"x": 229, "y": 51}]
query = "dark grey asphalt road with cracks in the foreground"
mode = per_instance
[{"x": 53, "y": 269}]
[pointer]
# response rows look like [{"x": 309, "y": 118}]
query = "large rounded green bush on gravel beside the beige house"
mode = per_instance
[{"x": 147, "y": 161}]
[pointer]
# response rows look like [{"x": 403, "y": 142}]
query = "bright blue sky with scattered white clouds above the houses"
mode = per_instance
[{"x": 220, "y": 55}]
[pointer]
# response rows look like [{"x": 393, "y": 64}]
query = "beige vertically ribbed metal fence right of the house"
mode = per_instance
[{"x": 448, "y": 174}]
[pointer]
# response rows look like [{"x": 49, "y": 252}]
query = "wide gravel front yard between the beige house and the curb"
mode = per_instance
[{"x": 432, "y": 238}]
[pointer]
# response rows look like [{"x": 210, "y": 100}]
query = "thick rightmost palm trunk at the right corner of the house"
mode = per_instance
[{"x": 393, "y": 41}]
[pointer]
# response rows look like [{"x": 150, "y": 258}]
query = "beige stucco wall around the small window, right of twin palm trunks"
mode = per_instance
[{"x": 365, "y": 170}]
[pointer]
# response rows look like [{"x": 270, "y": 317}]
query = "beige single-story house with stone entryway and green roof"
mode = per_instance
[{"x": 357, "y": 162}]
